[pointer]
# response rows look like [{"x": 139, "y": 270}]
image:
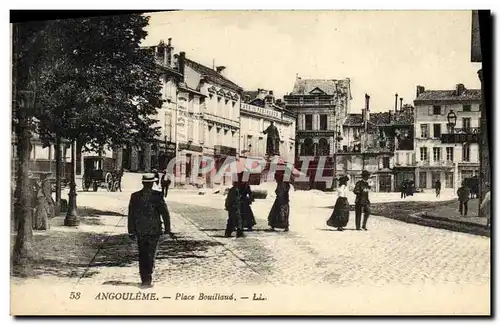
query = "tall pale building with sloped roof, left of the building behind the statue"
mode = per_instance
[{"x": 219, "y": 116}]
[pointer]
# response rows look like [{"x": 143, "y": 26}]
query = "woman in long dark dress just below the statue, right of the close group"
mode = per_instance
[{"x": 280, "y": 212}]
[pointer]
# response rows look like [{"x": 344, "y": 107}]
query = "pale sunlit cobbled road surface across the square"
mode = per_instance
[{"x": 391, "y": 252}]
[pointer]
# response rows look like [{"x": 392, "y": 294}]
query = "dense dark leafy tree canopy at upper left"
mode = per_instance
[{"x": 96, "y": 85}]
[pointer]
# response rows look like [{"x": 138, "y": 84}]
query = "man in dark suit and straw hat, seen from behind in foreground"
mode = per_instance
[{"x": 144, "y": 223}]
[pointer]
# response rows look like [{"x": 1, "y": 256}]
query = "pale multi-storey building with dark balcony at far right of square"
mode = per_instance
[{"x": 439, "y": 153}]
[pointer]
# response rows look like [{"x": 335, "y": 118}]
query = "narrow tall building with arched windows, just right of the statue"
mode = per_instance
[{"x": 320, "y": 106}]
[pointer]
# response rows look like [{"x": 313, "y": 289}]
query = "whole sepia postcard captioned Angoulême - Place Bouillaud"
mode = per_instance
[{"x": 251, "y": 163}]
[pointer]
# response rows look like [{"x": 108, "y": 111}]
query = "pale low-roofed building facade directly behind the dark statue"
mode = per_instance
[{"x": 257, "y": 111}]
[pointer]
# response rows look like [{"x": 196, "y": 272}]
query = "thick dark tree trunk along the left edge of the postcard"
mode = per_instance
[{"x": 22, "y": 247}]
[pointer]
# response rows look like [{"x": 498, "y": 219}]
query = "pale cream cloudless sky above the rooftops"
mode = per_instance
[{"x": 382, "y": 52}]
